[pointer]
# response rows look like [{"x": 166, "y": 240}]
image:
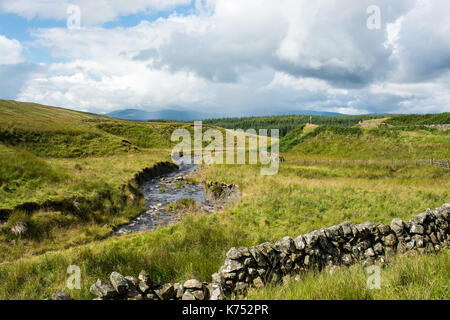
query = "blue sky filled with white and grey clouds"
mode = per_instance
[{"x": 228, "y": 57}]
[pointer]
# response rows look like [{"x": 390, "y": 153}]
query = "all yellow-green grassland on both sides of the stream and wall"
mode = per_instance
[{"x": 305, "y": 195}]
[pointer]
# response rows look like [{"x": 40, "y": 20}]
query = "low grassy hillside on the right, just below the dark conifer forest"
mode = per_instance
[{"x": 374, "y": 143}]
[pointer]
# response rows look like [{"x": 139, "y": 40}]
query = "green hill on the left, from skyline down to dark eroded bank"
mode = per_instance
[{"x": 48, "y": 153}]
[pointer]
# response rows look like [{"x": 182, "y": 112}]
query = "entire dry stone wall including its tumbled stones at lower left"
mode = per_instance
[{"x": 343, "y": 244}]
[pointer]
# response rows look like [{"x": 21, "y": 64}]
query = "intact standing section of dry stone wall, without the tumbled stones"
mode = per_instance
[{"x": 343, "y": 244}]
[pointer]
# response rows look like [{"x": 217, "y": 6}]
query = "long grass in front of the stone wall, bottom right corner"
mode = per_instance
[{"x": 419, "y": 277}]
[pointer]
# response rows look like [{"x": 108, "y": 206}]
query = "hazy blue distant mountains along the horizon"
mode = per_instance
[{"x": 186, "y": 115}]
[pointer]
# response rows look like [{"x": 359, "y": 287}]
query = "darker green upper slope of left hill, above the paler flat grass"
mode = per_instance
[{"x": 59, "y": 133}]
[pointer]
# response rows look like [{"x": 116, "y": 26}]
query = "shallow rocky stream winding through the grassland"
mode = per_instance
[{"x": 162, "y": 191}]
